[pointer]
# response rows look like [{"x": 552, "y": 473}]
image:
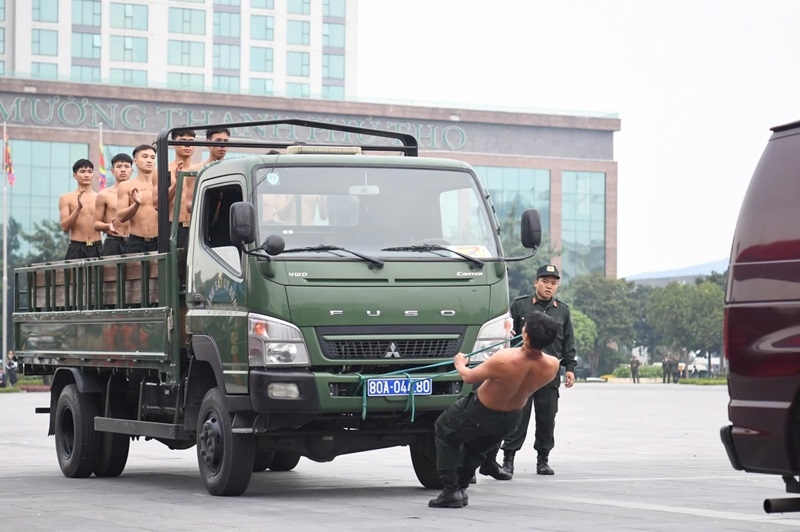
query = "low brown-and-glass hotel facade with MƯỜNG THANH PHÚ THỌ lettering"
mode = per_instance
[{"x": 561, "y": 165}]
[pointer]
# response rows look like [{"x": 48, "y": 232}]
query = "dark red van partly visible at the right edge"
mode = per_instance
[{"x": 762, "y": 319}]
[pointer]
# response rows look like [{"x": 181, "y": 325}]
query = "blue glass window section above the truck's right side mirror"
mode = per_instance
[{"x": 515, "y": 189}]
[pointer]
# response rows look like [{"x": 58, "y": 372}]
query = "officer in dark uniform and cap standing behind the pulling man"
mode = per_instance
[{"x": 544, "y": 402}]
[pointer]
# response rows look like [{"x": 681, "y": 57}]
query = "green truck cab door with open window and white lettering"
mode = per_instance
[{"x": 215, "y": 287}]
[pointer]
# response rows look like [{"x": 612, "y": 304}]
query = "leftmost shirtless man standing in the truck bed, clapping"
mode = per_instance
[{"x": 76, "y": 210}]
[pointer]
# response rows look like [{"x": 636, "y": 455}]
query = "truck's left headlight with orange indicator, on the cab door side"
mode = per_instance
[{"x": 274, "y": 342}]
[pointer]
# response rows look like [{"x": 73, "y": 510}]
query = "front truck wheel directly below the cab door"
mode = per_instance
[{"x": 225, "y": 458}]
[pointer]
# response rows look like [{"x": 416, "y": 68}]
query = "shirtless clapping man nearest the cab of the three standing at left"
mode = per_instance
[{"x": 135, "y": 203}]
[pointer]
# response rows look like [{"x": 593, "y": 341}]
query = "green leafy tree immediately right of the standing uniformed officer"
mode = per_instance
[{"x": 608, "y": 303}]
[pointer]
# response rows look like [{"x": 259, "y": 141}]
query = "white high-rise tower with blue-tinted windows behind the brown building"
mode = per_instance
[{"x": 293, "y": 48}]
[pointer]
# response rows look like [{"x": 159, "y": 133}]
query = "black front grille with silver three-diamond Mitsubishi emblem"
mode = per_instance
[{"x": 389, "y": 349}]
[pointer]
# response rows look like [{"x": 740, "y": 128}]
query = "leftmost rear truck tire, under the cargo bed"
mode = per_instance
[{"x": 77, "y": 443}]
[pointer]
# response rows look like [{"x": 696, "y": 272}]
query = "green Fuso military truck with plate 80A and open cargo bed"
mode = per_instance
[{"x": 314, "y": 282}]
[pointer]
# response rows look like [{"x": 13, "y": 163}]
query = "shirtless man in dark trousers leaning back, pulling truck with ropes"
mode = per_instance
[{"x": 474, "y": 424}]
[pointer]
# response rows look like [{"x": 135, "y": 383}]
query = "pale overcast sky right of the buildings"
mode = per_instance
[{"x": 696, "y": 83}]
